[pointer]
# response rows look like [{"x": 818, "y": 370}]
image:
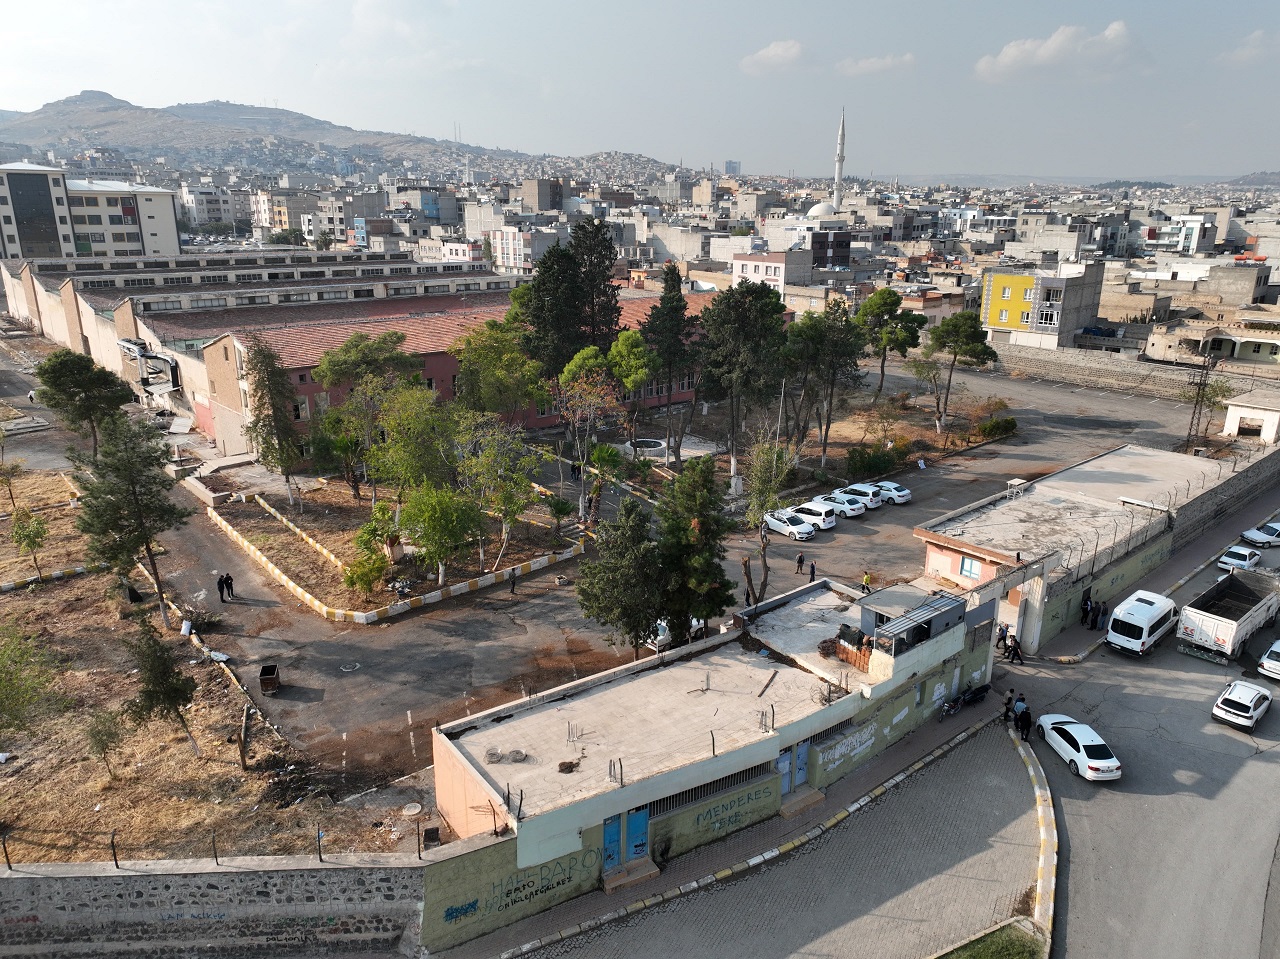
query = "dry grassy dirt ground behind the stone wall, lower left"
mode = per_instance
[{"x": 61, "y": 805}]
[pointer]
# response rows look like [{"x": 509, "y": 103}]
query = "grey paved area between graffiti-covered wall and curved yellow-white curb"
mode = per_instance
[{"x": 948, "y": 853}]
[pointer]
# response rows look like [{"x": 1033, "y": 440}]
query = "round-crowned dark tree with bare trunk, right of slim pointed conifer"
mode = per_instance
[{"x": 743, "y": 340}]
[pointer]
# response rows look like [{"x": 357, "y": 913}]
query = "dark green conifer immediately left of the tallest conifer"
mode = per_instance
[{"x": 552, "y": 312}]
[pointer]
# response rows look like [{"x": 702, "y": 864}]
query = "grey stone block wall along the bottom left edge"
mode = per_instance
[{"x": 240, "y": 908}]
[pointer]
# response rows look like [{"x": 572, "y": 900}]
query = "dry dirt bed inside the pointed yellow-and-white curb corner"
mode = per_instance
[{"x": 332, "y": 518}]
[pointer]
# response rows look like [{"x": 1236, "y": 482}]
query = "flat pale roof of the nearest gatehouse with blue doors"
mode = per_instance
[{"x": 655, "y": 721}]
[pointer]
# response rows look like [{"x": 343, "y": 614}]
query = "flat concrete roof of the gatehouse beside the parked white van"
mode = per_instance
[{"x": 1078, "y": 510}]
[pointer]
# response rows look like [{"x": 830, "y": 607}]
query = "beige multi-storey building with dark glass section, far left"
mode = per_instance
[{"x": 45, "y": 214}]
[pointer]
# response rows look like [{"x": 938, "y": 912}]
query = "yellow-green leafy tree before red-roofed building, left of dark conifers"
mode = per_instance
[{"x": 495, "y": 375}]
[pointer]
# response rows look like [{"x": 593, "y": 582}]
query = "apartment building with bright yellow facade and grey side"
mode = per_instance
[{"x": 1041, "y": 308}]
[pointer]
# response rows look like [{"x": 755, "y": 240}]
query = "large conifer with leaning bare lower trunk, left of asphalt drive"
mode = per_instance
[{"x": 126, "y": 501}]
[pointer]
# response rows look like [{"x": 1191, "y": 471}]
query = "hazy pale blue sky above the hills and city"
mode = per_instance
[{"x": 1130, "y": 89}]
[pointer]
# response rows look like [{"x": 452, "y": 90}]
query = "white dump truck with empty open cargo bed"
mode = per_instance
[{"x": 1218, "y": 623}]
